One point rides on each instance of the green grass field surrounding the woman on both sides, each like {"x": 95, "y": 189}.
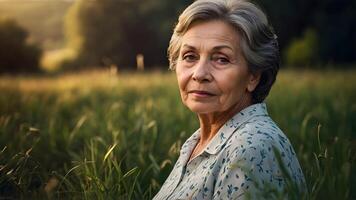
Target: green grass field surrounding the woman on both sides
{"x": 97, "y": 135}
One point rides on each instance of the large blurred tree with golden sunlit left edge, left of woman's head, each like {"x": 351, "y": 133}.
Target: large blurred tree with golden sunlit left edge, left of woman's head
{"x": 114, "y": 31}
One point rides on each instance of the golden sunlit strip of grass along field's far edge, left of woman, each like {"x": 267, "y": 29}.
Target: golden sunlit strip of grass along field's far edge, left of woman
{"x": 89, "y": 80}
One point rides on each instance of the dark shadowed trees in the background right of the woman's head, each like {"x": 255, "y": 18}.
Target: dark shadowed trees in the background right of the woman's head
{"x": 334, "y": 23}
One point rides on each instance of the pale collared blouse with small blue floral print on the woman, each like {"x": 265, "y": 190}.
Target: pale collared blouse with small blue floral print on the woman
{"x": 240, "y": 161}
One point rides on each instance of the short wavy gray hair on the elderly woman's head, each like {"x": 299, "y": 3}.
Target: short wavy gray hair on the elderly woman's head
{"x": 258, "y": 43}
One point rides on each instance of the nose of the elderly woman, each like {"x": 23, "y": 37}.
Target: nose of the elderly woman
{"x": 202, "y": 71}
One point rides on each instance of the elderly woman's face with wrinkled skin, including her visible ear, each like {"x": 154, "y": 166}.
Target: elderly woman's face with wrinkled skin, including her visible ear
{"x": 212, "y": 73}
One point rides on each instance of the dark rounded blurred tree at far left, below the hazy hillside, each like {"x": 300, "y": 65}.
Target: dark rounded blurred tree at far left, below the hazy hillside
{"x": 16, "y": 55}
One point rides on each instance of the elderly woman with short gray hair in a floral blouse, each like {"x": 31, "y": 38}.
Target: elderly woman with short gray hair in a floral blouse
{"x": 226, "y": 59}
